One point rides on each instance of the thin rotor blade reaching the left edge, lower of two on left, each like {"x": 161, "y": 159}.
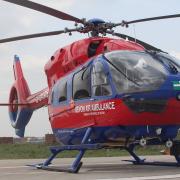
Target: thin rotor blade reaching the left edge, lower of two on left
{"x": 30, "y": 36}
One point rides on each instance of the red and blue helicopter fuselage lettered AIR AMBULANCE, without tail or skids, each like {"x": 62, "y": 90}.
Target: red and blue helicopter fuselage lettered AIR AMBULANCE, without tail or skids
{"x": 113, "y": 115}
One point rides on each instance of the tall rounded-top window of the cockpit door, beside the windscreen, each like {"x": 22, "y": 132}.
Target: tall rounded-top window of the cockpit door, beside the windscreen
{"x": 100, "y": 83}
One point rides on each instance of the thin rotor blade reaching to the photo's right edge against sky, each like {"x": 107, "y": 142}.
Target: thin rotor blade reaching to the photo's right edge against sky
{"x": 149, "y": 19}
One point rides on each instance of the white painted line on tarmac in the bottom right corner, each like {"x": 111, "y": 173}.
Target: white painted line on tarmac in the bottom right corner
{"x": 147, "y": 178}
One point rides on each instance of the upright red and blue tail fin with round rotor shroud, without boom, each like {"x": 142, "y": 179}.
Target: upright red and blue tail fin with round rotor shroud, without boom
{"x": 19, "y": 115}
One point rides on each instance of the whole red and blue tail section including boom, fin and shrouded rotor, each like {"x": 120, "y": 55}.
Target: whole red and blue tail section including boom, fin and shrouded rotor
{"x": 21, "y": 102}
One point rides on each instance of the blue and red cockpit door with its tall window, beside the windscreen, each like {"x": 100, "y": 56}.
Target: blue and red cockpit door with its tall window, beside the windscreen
{"x": 103, "y": 104}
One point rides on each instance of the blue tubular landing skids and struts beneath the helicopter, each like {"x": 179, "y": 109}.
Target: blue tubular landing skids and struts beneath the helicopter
{"x": 83, "y": 147}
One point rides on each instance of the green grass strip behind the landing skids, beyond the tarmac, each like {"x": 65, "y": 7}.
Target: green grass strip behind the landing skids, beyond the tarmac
{"x": 37, "y": 151}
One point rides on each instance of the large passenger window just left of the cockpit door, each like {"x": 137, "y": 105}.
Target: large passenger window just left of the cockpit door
{"x": 81, "y": 84}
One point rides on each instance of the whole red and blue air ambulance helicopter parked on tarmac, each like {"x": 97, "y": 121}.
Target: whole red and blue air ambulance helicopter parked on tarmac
{"x": 101, "y": 90}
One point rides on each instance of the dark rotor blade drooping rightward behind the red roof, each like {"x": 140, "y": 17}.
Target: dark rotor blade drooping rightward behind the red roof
{"x": 145, "y": 45}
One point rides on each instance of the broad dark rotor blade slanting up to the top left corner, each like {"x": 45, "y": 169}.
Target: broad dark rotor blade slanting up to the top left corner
{"x": 45, "y": 9}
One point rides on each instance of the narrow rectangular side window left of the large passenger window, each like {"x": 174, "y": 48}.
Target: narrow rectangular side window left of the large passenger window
{"x": 62, "y": 91}
